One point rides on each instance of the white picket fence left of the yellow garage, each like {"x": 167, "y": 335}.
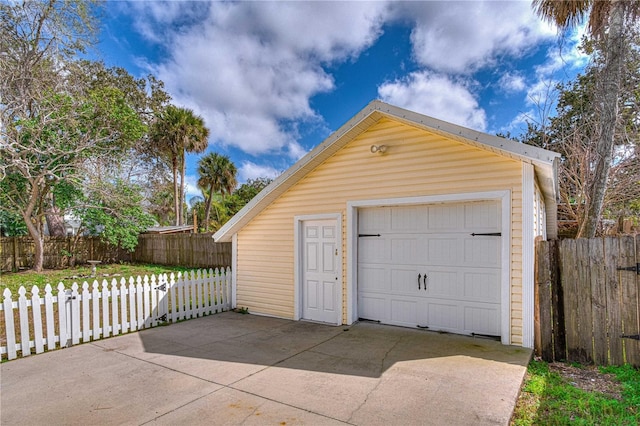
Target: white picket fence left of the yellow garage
{"x": 91, "y": 312}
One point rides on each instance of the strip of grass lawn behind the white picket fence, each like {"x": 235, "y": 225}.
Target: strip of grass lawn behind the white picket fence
{"x": 13, "y": 280}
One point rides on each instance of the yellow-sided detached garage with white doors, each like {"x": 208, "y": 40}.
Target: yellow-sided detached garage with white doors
{"x": 403, "y": 219}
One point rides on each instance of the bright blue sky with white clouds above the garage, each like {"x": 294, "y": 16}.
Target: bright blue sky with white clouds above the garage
{"x": 274, "y": 79}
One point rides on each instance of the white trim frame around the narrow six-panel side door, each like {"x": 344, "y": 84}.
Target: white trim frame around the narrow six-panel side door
{"x": 297, "y": 262}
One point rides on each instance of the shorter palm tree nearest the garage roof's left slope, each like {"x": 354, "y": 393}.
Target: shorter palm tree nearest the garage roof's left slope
{"x": 217, "y": 174}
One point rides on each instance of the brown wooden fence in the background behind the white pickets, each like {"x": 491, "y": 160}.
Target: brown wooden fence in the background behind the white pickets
{"x": 189, "y": 250}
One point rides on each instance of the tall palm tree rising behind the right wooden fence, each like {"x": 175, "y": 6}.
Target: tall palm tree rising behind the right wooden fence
{"x": 607, "y": 25}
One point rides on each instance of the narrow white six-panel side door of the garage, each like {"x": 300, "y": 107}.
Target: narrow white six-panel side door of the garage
{"x": 320, "y": 271}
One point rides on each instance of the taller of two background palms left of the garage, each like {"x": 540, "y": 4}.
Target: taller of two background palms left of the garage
{"x": 176, "y": 132}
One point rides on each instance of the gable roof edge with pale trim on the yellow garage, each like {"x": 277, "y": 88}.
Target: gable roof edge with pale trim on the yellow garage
{"x": 544, "y": 161}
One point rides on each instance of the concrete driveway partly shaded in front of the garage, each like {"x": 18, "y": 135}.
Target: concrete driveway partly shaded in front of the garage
{"x": 245, "y": 369}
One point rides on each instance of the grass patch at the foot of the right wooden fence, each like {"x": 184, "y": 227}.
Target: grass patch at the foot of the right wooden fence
{"x": 561, "y": 394}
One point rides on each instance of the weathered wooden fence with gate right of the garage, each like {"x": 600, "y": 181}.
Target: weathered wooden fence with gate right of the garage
{"x": 588, "y": 300}
